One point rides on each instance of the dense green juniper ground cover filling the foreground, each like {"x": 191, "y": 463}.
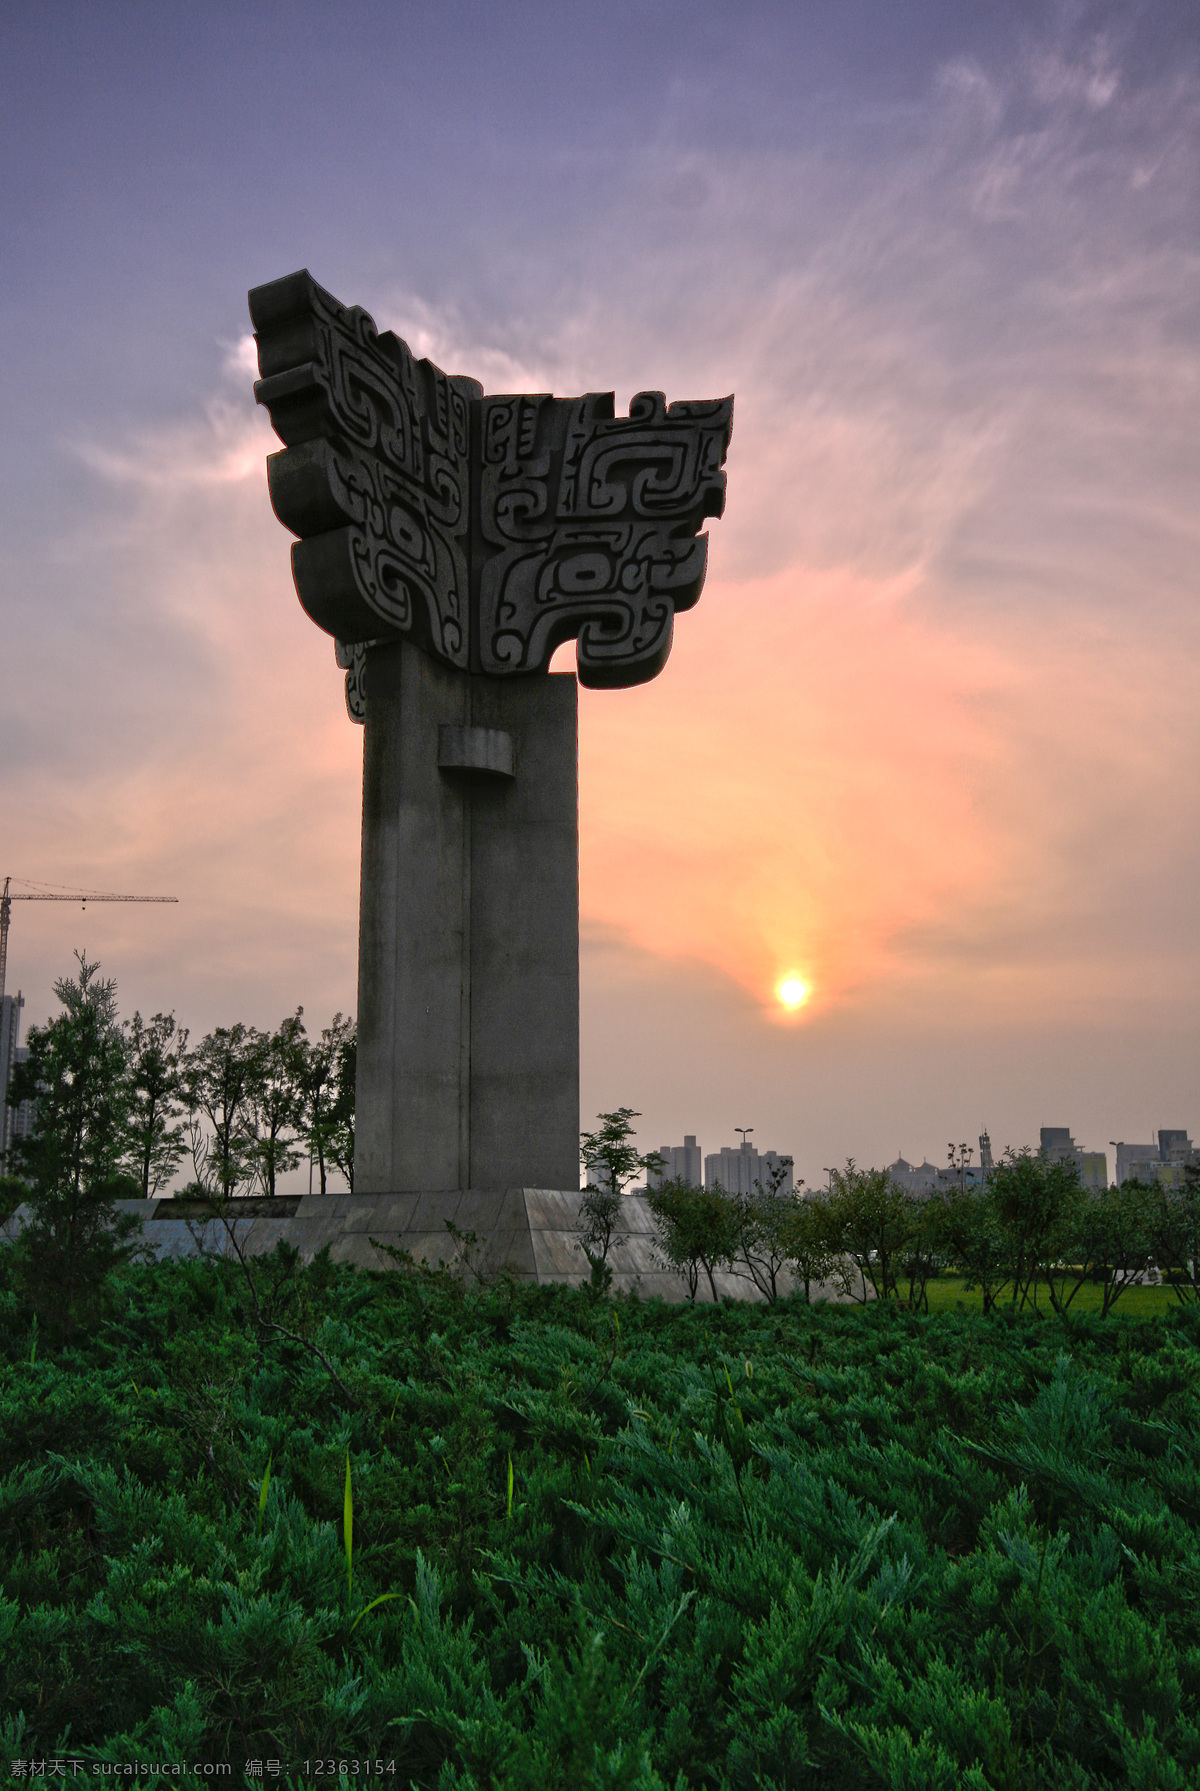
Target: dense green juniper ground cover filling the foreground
{"x": 631, "y": 1547}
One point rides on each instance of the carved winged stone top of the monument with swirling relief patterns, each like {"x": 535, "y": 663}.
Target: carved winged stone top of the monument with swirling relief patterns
{"x": 583, "y": 524}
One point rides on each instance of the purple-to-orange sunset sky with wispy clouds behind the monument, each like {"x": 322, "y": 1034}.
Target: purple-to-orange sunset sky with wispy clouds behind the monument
{"x": 930, "y": 739}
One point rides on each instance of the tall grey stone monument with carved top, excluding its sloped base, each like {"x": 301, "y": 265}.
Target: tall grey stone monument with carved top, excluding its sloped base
{"x": 450, "y": 542}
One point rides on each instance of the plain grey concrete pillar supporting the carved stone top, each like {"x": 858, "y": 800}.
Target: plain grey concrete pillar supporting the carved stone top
{"x": 468, "y": 945}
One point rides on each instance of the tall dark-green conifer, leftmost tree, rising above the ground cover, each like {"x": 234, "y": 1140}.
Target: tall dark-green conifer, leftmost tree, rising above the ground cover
{"x": 73, "y": 1165}
